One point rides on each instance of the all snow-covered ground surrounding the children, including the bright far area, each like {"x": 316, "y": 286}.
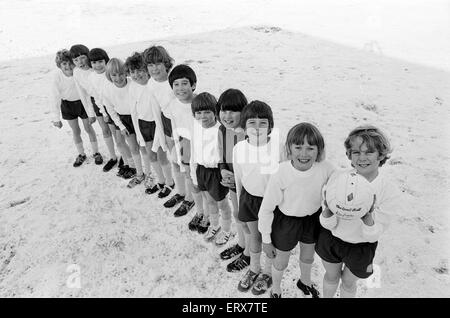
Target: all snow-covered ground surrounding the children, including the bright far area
{"x": 336, "y": 65}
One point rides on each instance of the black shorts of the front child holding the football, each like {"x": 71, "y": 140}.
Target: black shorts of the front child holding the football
{"x": 358, "y": 257}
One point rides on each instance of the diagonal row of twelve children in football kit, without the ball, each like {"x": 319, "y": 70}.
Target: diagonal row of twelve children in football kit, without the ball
{"x": 205, "y": 150}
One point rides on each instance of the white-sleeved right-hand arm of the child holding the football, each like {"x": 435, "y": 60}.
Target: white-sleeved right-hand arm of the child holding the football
{"x": 377, "y": 221}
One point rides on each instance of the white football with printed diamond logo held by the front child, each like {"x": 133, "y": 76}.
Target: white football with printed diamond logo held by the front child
{"x": 349, "y": 195}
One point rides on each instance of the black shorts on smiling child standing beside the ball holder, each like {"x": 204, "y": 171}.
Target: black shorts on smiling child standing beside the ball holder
{"x": 287, "y": 230}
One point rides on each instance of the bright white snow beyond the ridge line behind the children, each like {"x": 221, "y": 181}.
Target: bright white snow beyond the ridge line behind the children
{"x": 414, "y": 30}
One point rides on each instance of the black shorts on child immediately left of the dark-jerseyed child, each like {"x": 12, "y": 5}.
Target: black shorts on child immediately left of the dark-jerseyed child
{"x": 209, "y": 180}
